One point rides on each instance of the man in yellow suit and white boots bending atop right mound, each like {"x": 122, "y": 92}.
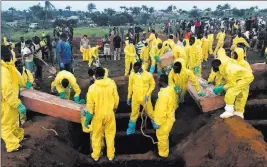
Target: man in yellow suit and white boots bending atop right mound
{"x": 237, "y": 84}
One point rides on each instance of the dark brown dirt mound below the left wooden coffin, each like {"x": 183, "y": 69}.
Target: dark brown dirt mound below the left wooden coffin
{"x": 43, "y": 149}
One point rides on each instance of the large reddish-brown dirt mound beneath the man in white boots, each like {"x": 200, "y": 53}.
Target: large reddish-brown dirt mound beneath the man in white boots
{"x": 229, "y": 142}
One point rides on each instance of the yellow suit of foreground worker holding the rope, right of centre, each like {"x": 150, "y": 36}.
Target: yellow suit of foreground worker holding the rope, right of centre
{"x": 164, "y": 116}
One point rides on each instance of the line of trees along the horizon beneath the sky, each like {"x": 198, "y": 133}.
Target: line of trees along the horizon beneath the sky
{"x": 133, "y": 15}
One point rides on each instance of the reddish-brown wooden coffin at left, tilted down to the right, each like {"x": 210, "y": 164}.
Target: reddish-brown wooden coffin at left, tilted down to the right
{"x": 51, "y": 105}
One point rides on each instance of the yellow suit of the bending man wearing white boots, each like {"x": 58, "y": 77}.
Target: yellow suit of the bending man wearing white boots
{"x": 237, "y": 84}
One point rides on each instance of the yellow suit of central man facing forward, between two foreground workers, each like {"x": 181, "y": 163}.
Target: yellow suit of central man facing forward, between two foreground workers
{"x": 140, "y": 85}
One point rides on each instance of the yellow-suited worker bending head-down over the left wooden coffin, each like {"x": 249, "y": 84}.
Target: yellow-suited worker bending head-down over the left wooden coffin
{"x": 64, "y": 82}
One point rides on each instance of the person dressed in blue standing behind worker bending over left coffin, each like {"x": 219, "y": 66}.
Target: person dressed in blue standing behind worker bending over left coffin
{"x": 64, "y": 54}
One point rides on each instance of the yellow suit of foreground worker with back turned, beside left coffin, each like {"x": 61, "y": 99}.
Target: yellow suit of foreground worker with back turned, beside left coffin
{"x": 102, "y": 99}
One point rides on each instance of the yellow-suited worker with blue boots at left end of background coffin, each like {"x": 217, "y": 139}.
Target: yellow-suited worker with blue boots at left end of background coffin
{"x": 155, "y": 53}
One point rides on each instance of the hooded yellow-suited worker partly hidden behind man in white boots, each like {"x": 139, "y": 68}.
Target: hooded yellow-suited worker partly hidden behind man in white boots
{"x": 239, "y": 56}
